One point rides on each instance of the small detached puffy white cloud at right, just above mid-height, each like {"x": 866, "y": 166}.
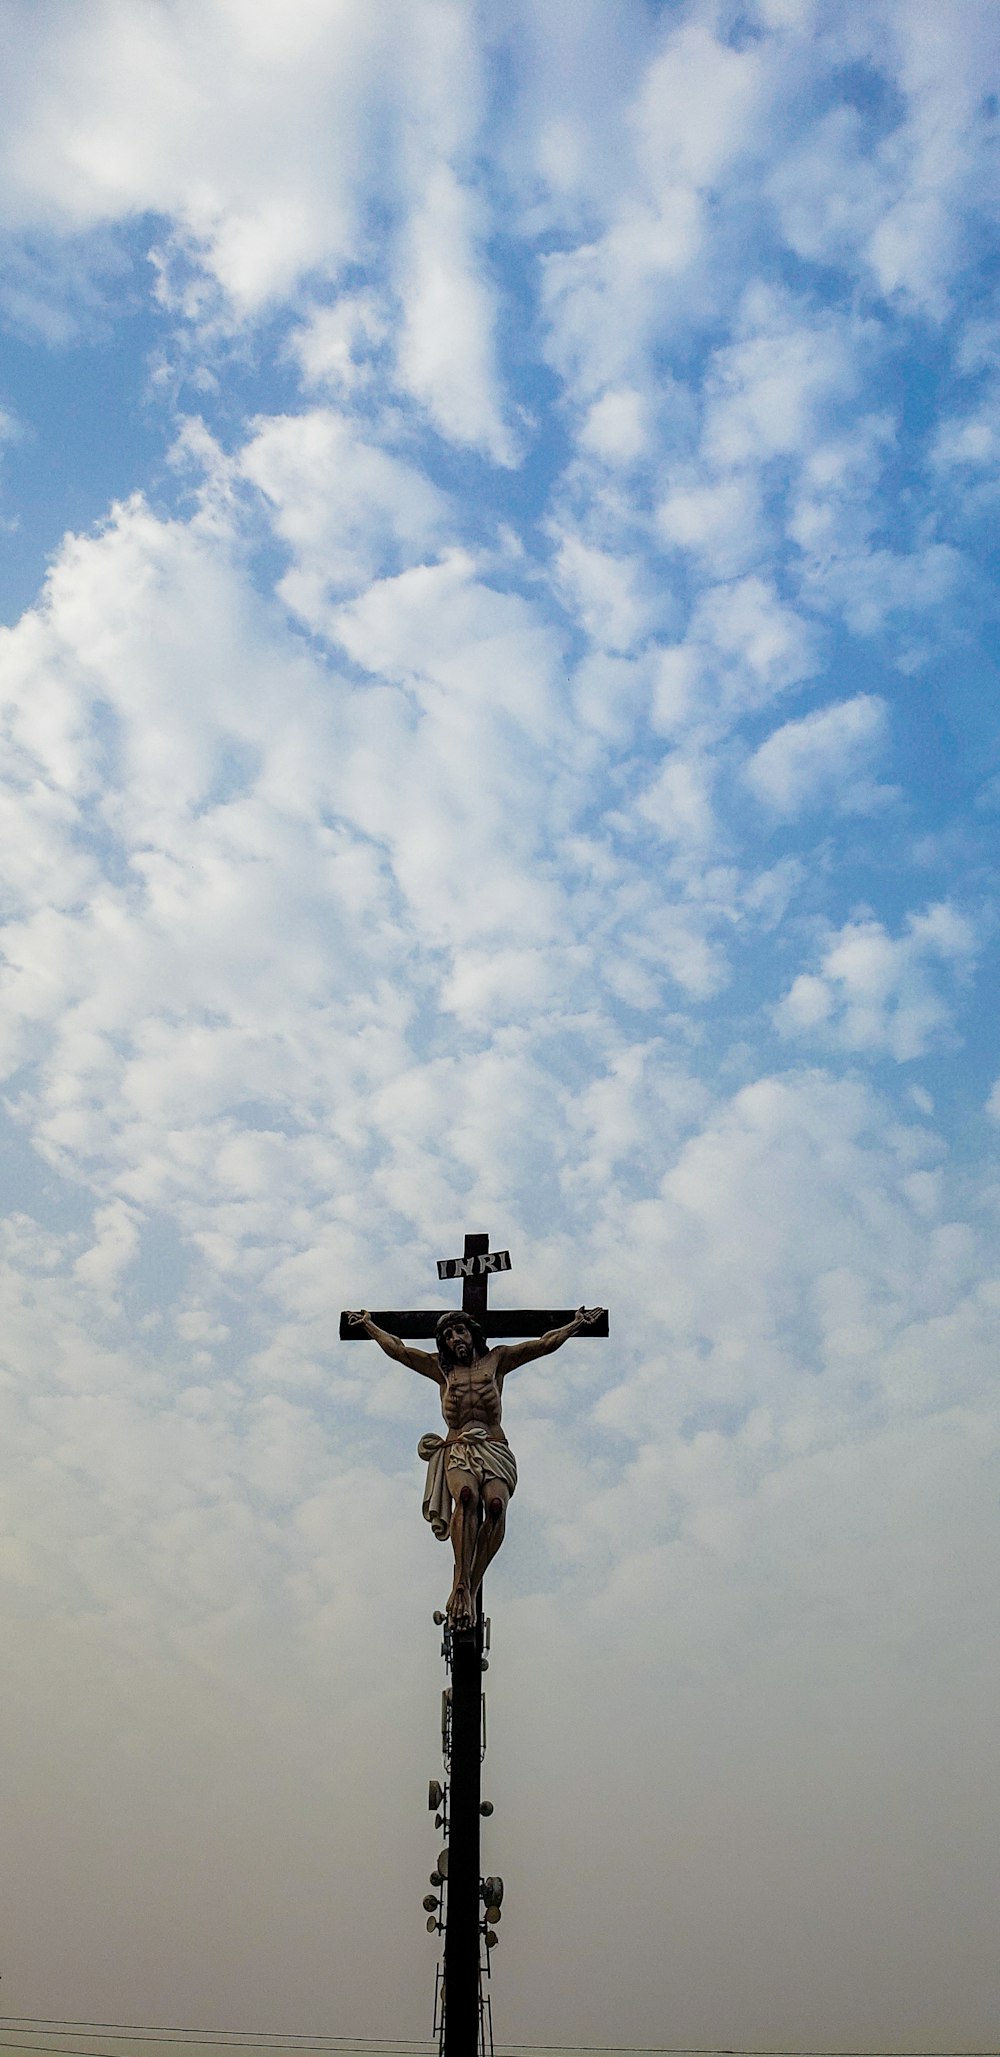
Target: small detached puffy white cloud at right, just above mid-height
{"x": 882, "y": 995}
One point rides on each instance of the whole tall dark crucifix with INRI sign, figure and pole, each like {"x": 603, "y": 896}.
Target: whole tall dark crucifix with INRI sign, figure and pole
{"x": 470, "y": 1480}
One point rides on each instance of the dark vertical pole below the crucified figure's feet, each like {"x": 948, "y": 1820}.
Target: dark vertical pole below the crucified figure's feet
{"x": 462, "y": 1930}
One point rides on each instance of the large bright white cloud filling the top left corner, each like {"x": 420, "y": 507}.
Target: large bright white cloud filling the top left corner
{"x": 122, "y": 116}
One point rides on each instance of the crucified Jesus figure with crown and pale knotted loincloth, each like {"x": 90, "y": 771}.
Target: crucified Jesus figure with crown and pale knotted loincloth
{"x": 472, "y": 1470}
